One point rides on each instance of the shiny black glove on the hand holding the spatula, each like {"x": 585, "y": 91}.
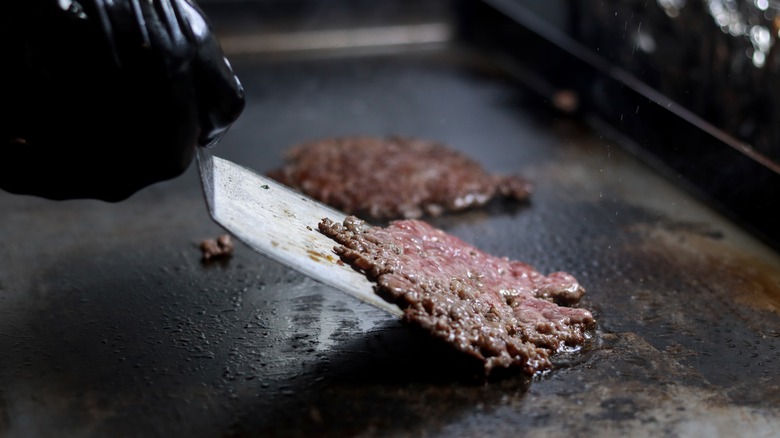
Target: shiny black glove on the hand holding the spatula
{"x": 104, "y": 97}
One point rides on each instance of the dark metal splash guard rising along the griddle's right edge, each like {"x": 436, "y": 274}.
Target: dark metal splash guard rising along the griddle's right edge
{"x": 691, "y": 86}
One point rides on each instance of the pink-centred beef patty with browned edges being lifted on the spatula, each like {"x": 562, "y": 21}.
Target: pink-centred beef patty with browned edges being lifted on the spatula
{"x": 500, "y": 311}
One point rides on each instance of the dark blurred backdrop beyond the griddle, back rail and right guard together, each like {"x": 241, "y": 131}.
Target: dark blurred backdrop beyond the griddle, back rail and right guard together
{"x": 692, "y": 87}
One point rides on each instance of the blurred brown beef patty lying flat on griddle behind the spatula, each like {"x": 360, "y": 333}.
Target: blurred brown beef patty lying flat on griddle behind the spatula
{"x": 393, "y": 178}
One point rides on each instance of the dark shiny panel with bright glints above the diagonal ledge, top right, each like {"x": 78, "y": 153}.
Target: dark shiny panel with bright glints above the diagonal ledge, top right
{"x": 718, "y": 58}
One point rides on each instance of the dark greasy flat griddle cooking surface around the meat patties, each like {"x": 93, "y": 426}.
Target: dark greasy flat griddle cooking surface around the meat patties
{"x": 110, "y": 323}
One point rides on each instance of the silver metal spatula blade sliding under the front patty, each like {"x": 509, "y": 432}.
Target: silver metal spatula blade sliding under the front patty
{"x": 281, "y": 224}
